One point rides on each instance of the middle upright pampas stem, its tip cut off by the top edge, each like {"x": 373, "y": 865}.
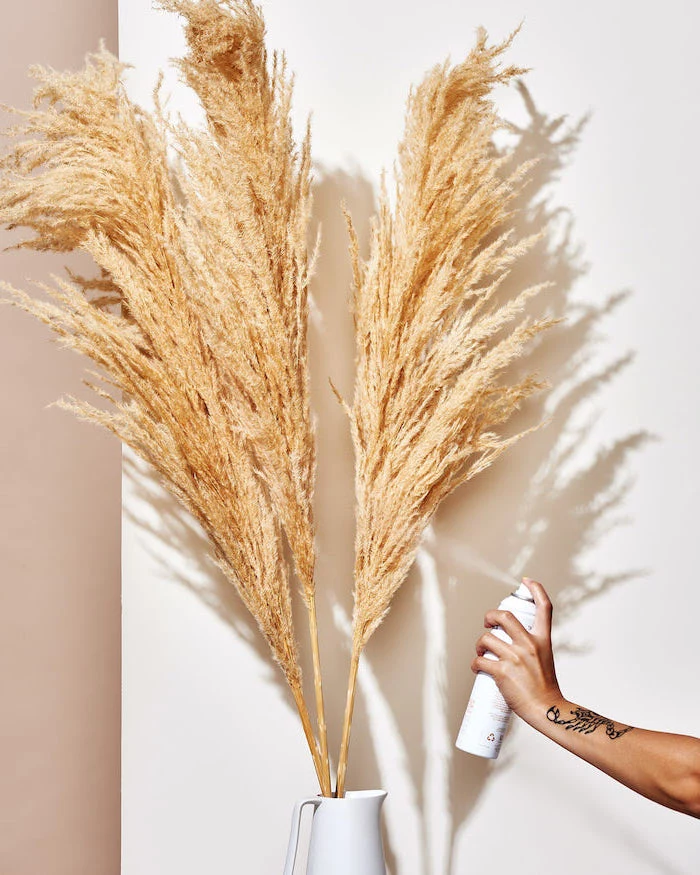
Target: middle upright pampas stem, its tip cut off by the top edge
{"x": 247, "y": 190}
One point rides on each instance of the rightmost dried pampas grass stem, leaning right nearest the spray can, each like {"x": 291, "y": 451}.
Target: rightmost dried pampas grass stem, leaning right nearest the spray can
{"x": 430, "y": 340}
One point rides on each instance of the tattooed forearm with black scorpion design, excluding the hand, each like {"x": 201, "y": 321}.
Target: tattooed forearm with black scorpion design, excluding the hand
{"x": 661, "y": 766}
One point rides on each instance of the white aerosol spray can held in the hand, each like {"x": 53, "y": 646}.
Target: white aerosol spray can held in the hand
{"x": 487, "y": 716}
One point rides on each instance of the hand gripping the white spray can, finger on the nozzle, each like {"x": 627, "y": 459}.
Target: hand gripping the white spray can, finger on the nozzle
{"x": 524, "y": 670}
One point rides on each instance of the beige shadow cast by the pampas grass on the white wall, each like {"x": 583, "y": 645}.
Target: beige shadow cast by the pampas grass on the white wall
{"x": 536, "y": 512}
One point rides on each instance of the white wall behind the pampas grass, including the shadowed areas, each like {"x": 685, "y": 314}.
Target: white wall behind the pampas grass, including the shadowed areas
{"x": 212, "y": 754}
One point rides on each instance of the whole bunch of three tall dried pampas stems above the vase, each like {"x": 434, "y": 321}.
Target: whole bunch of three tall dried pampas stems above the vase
{"x": 197, "y": 322}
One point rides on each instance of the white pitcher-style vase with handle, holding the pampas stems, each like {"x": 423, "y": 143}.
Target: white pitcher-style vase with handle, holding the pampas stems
{"x": 346, "y": 836}
